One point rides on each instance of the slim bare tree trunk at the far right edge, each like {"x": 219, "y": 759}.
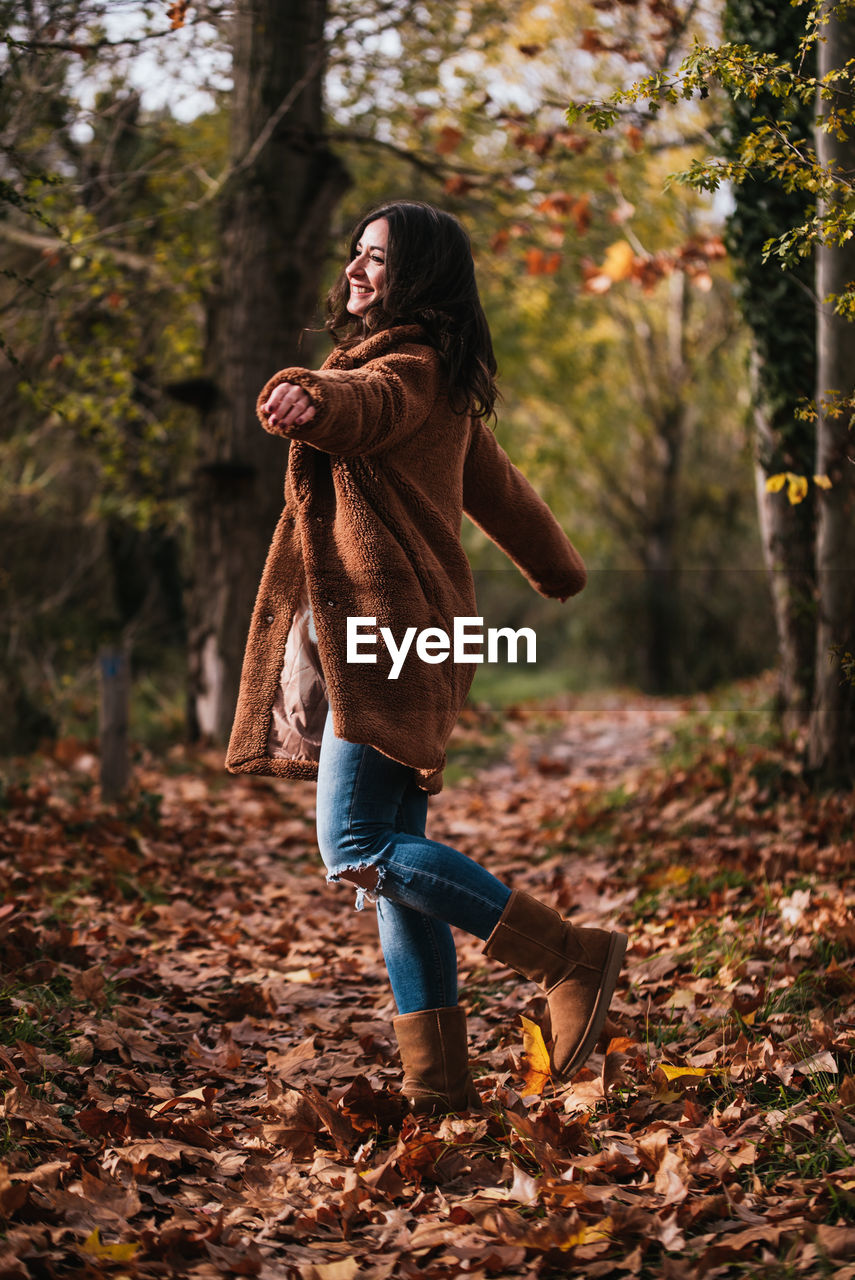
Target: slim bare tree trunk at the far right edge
{"x": 831, "y": 752}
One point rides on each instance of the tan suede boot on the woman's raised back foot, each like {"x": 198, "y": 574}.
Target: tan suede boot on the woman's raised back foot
{"x": 577, "y": 968}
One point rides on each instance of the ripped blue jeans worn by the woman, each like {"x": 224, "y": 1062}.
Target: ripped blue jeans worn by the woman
{"x": 372, "y": 833}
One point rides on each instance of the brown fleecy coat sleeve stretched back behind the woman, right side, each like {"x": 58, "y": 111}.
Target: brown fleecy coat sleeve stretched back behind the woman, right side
{"x": 500, "y": 500}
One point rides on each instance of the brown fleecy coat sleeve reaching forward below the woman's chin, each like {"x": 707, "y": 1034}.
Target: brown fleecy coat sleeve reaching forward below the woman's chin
{"x": 364, "y": 410}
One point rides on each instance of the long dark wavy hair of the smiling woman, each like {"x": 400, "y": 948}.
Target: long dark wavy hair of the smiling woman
{"x": 429, "y": 281}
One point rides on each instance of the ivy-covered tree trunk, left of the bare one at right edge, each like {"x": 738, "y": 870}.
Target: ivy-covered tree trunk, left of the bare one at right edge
{"x": 780, "y": 312}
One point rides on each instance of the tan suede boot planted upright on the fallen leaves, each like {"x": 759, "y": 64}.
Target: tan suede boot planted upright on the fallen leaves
{"x": 435, "y": 1053}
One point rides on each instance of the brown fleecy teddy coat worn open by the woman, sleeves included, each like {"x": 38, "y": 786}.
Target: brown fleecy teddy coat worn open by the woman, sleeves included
{"x": 376, "y": 488}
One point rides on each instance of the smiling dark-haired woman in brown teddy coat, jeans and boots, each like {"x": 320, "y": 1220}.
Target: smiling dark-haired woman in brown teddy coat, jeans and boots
{"x": 388, "y": 449}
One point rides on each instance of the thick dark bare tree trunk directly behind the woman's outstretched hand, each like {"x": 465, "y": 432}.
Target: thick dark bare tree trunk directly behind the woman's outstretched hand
{"x": 275, "y": 239}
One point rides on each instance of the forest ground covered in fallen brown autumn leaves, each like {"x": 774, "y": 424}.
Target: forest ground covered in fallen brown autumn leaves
{"x": 198, "y": 1062}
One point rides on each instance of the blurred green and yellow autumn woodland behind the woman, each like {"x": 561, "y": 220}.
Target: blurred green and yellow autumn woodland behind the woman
{"x": 131, "y": 162}
